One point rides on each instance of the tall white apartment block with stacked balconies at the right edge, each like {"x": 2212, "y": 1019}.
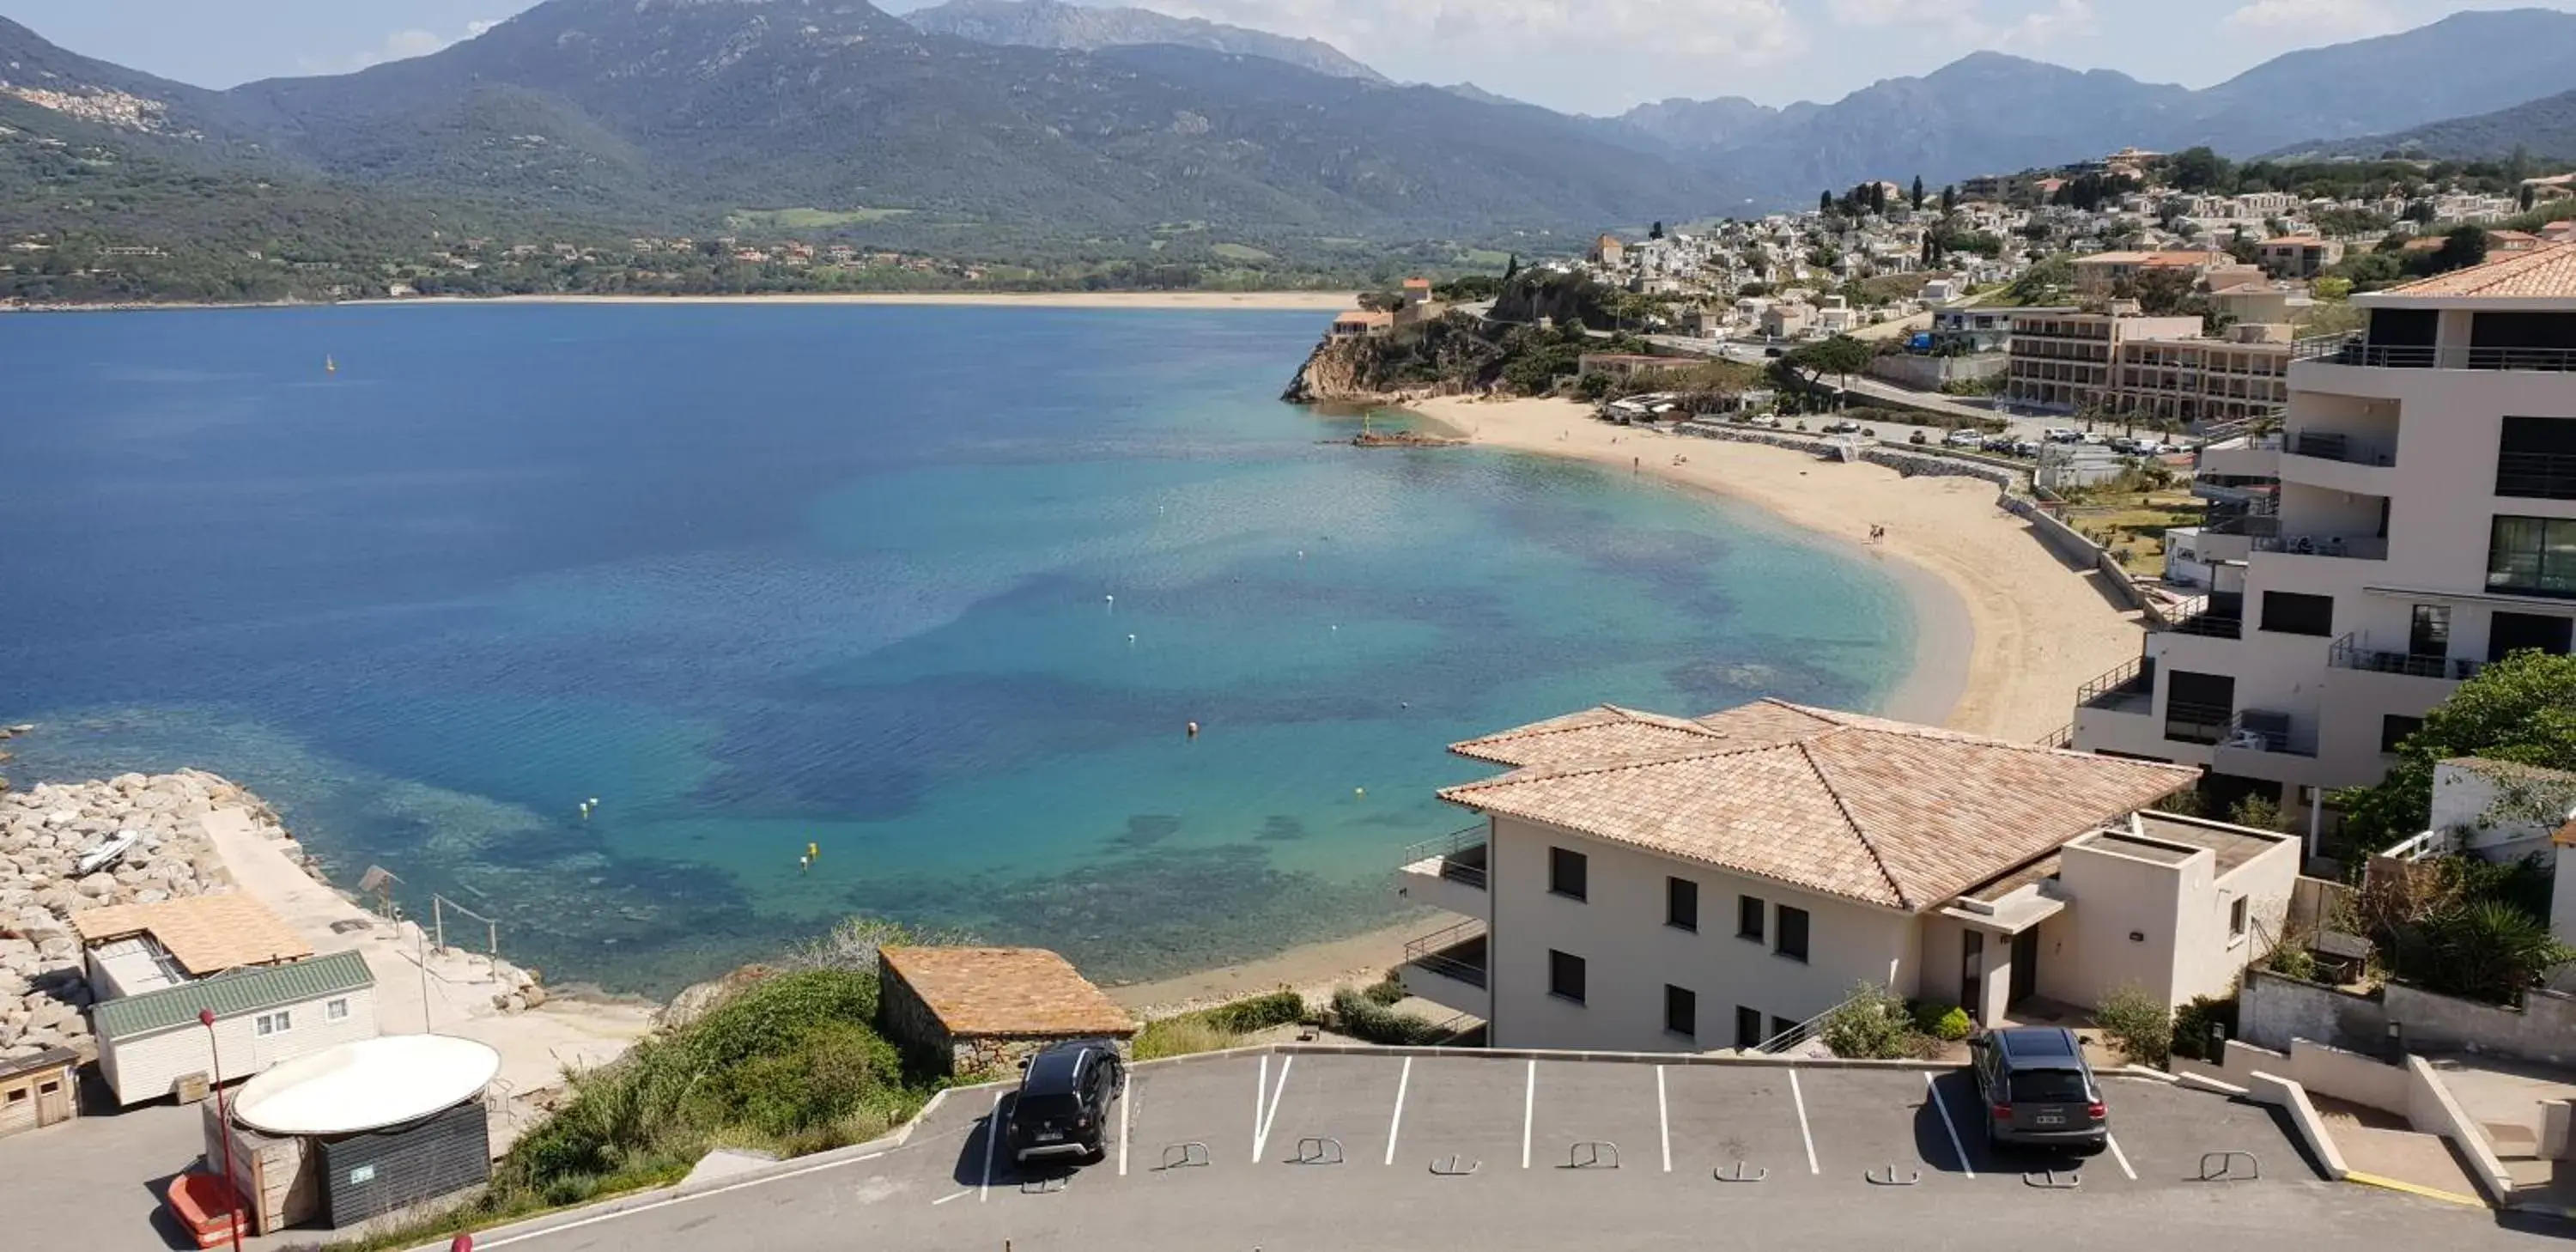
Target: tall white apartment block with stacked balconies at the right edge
{"x": 2423, "y": 527}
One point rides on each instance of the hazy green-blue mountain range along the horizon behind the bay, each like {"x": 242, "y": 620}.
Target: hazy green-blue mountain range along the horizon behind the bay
{"x": 993, "y": 125}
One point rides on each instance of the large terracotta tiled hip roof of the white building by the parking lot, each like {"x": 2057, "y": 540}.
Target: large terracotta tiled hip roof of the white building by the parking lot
{"x": 1846, "y": 805}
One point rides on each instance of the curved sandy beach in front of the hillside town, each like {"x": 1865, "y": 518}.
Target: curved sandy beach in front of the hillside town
{"x": 2034, "y": 627}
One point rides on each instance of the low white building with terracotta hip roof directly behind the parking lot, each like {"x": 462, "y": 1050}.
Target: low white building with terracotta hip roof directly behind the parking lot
{"x": 1647, "y": 882}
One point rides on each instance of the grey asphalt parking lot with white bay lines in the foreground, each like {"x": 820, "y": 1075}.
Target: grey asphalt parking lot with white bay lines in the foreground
{"x": 1374, "y": 1150}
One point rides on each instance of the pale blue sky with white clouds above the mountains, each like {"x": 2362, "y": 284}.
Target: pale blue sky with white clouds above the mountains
{"x": 1578, "y": 55}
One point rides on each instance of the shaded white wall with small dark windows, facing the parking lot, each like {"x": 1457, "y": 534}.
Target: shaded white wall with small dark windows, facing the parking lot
{"x": 1632, "y": 954}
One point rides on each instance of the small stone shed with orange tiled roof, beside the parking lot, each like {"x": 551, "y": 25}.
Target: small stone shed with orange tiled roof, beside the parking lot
{"x": 983, "y": 1011}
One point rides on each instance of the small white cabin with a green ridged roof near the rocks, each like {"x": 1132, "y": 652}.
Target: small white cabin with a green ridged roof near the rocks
{"x": 153, "y": 1045}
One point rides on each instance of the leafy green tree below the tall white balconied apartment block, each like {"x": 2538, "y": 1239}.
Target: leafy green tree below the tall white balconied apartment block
{"x": 2518, "y": 710}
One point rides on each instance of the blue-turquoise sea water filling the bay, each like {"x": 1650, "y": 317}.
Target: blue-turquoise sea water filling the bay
{"x": 929, "y": 589}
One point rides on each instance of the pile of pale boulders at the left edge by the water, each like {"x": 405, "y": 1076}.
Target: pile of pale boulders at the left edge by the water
{"x": 45, "y": 833}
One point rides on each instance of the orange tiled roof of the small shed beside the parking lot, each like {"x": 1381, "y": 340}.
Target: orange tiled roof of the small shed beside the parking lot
{"x": 1006, "y": 993}
